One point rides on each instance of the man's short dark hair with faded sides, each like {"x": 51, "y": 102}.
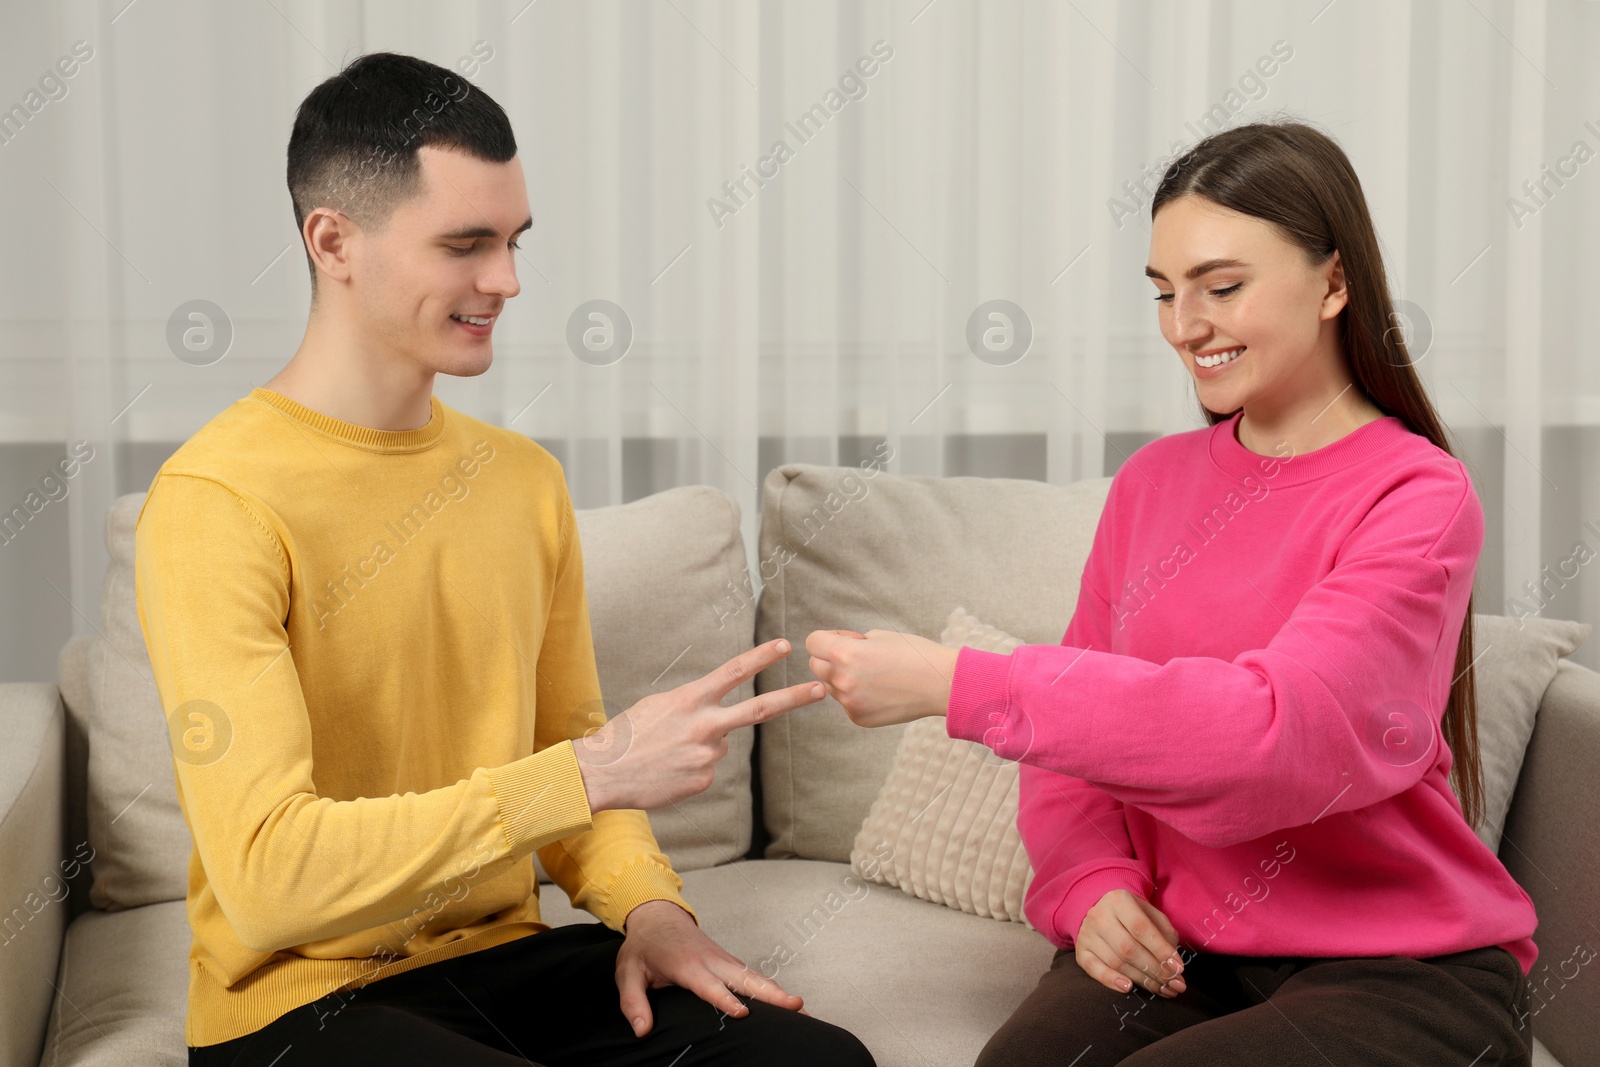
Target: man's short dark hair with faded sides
{"x": 356, "y": 137}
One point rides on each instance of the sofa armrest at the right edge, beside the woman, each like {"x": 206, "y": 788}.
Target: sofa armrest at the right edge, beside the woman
{"x": 1553, "y": 849}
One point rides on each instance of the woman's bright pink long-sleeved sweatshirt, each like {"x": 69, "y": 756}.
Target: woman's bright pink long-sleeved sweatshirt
{"x": 1242, "y": 724}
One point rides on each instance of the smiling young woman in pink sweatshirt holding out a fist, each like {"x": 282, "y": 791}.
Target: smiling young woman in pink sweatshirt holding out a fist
{"x": 1236, "y": 785}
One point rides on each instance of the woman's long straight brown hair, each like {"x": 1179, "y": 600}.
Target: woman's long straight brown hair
{"x": 1300, "y": 180}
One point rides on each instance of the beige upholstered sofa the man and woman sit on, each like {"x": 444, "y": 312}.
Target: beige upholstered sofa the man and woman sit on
{"x": 94, "y": 845}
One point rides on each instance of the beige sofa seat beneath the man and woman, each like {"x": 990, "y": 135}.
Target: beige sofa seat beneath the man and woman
{"x": 921, "y": 985}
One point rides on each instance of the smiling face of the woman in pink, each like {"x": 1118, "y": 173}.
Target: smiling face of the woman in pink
{"x": 1230, "y": 282}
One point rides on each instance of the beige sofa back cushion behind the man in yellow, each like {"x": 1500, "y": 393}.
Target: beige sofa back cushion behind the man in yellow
{"x": 655, "y": 572}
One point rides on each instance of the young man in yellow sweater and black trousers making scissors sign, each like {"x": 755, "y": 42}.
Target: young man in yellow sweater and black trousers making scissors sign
{"x": 367, "y": 623}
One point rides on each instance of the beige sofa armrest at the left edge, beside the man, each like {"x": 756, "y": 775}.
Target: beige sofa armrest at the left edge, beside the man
{"x": 33, "y": 828}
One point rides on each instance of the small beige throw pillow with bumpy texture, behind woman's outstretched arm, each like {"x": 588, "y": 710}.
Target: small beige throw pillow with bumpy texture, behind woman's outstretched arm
{"x": 945, "y": 823}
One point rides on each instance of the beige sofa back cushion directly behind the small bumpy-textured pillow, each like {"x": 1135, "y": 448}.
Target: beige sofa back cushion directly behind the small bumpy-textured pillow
{"x": 863, "y": 549}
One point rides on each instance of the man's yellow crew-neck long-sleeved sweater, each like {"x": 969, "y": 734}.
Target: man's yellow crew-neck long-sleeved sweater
{"x": 374, "y": 652}
